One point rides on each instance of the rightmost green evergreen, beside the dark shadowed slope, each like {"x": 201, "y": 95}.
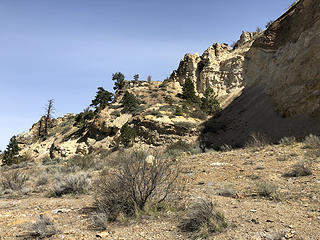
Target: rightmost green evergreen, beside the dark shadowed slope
{"x": 210, "y": 103}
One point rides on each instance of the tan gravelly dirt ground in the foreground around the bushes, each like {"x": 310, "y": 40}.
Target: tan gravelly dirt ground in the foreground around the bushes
{"x": 296, "y": 214}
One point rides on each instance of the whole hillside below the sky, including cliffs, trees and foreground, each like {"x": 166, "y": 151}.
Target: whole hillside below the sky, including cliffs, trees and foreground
{"x": 227, "y": 147}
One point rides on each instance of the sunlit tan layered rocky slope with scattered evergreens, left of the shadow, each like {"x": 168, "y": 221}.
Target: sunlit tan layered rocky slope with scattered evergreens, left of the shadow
{"x": 154, "y": 121}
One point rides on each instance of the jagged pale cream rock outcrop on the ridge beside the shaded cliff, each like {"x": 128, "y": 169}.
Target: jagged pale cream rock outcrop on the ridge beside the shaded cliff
{"x": 218, "y": 67}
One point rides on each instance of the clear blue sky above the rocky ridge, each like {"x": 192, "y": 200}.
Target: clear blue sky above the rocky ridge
{"x": 65, "y": 49}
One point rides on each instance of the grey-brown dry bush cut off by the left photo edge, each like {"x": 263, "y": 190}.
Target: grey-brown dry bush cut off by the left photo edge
{"x": 13, "y": 180}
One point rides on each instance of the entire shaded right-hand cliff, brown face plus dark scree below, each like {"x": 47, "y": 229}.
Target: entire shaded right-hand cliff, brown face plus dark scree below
{"x": 281, "y": 78}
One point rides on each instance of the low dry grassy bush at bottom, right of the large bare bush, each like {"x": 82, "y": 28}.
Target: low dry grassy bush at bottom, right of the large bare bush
{"x": 203, "y": 219}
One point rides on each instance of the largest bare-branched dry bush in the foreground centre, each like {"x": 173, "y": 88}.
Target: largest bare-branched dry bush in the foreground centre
{"x": 140, "y": 178}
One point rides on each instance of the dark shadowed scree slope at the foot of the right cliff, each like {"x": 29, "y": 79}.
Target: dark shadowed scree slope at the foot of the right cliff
{"x": 253, "y": 112}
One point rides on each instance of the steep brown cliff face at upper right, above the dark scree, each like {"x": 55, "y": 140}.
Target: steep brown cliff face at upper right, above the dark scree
{"x": 285, "y": 61}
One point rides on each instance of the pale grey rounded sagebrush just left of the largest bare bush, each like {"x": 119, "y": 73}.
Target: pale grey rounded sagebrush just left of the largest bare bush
{"x": 73, "y": 184}
